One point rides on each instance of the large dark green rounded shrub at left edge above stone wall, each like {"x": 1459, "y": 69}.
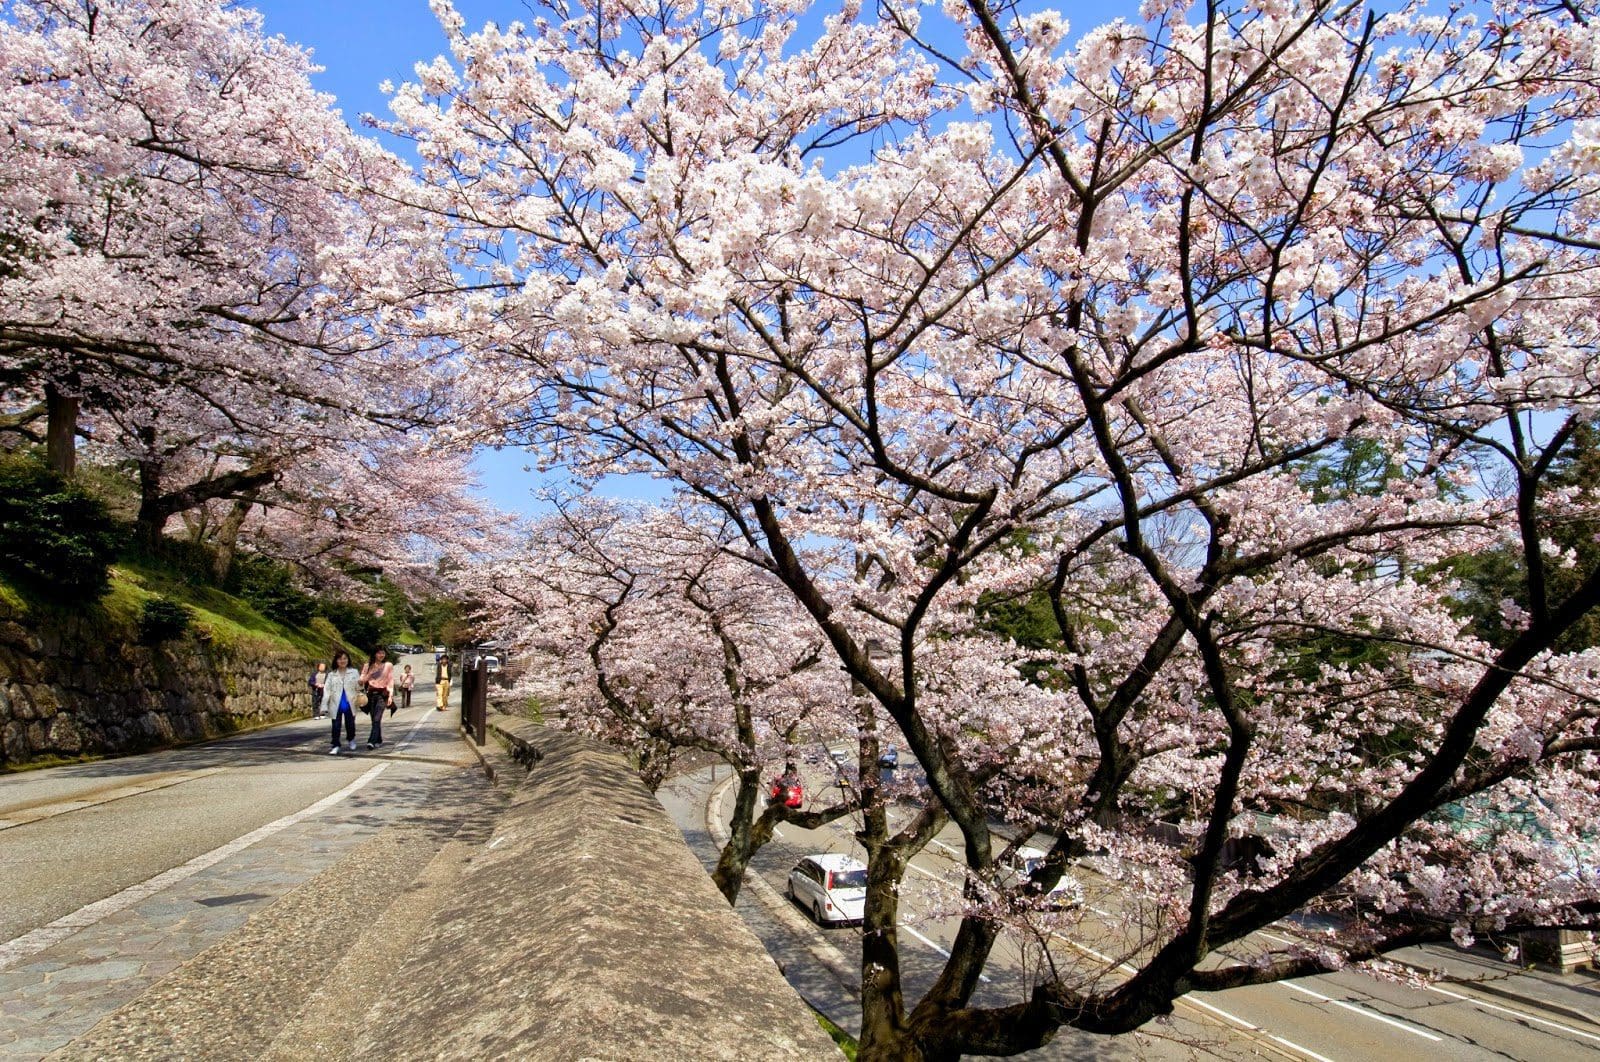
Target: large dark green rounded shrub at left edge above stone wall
{"x": 55, "y": 535}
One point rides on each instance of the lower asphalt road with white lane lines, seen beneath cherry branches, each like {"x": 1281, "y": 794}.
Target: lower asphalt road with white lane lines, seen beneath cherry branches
{"x": 1484, "y": 1012}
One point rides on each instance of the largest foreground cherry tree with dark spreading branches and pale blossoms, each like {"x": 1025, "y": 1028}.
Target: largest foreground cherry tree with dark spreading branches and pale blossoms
{"x": 1110, "y": 348}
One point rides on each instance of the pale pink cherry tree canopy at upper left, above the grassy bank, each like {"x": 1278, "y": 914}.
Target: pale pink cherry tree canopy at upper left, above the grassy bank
{"x": 188, "y": 228}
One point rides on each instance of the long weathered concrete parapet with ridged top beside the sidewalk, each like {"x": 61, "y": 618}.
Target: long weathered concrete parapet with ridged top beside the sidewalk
{"x": 586, "y": 930}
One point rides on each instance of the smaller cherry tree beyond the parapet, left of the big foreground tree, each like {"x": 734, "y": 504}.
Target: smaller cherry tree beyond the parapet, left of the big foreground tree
{"x": 647, "y": 634}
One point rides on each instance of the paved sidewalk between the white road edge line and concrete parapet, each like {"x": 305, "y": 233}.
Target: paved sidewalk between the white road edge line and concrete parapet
{"x": 217, "y": 962}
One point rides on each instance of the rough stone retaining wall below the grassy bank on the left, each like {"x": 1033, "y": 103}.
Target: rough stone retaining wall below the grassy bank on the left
{"x": 70, "y": 689}
